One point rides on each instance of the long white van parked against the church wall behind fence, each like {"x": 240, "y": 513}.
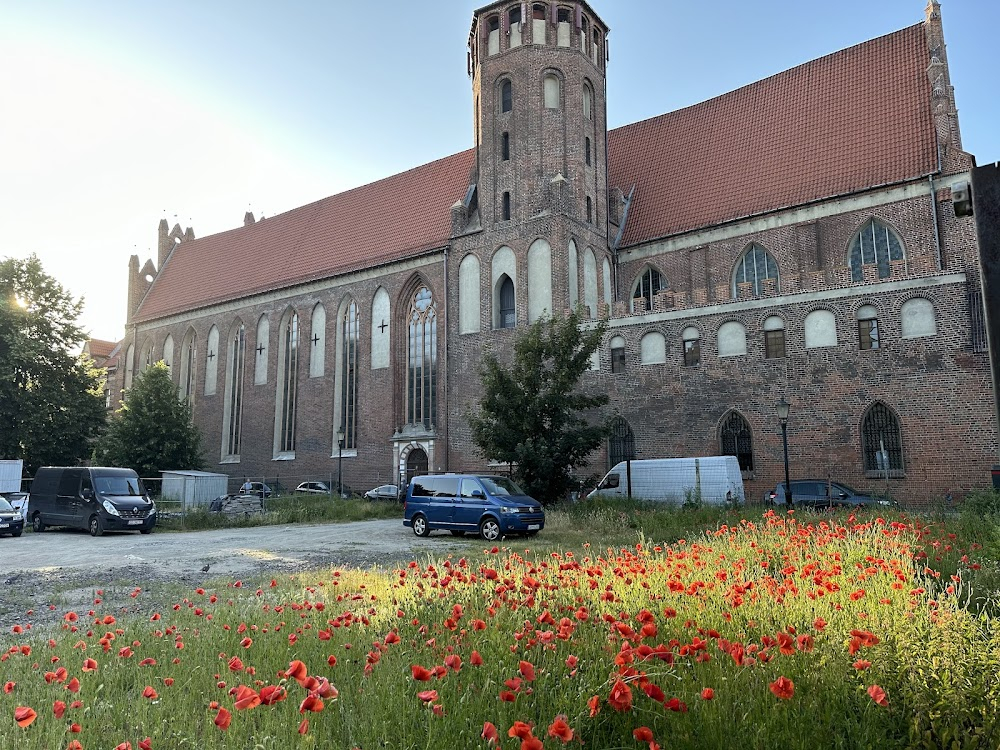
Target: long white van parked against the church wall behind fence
{"x": 713, "y": 480}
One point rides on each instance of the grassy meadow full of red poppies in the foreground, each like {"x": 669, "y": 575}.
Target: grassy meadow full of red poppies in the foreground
{"x": 773, "y": 631}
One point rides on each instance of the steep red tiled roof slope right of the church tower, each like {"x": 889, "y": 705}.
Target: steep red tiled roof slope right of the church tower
{"x": 855, "y": 119}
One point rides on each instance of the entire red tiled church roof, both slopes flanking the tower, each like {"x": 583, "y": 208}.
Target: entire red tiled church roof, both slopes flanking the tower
{"x": 852, "y": 120}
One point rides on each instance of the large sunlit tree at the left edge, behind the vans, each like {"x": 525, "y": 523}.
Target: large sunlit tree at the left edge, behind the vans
{"x": 51, "y": 398}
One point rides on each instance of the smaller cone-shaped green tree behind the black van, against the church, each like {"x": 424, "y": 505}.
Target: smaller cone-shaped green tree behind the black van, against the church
{"x": 152, "y": 430}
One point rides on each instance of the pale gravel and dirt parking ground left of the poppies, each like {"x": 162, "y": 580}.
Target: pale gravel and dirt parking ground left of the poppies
{"x": 64, "y": 568}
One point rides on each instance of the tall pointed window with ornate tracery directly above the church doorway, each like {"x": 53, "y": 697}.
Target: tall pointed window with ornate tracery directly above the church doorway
{"x": 421, "y": 360}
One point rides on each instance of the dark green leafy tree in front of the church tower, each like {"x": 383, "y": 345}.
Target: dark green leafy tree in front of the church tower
{"x": 532, "y": 413}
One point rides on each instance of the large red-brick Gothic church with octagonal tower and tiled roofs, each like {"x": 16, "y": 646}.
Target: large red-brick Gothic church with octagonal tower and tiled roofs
{"x": 801, "y": 238}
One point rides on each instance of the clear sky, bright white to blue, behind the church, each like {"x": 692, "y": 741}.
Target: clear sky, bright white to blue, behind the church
{"x": 119, "y": 113}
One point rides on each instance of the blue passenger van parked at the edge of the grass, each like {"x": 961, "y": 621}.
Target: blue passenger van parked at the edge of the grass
{"x": 490, "y": 506}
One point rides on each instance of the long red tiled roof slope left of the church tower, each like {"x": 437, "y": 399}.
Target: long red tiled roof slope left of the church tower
{"x": 383, "y": 221}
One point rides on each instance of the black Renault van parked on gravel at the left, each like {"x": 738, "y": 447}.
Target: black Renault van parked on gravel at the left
{"x": 96, "y": 498}
